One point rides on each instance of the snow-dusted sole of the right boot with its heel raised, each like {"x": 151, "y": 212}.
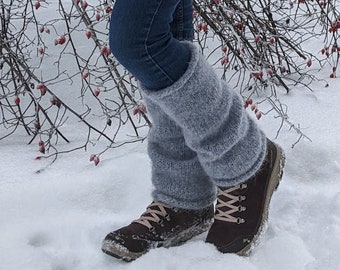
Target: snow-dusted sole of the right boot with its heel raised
{"x": 273, "y": 184}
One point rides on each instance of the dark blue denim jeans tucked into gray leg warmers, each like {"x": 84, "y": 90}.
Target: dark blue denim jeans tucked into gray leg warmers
{"x": 145, "y": 38}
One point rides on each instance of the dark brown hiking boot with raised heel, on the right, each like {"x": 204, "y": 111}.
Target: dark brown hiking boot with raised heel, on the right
{"x": 242, "y": 210}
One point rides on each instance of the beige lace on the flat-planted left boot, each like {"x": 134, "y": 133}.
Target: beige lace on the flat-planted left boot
{"x": 156, "y": 212}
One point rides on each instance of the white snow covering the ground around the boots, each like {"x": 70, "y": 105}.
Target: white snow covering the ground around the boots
{"x": 56, "y": 219}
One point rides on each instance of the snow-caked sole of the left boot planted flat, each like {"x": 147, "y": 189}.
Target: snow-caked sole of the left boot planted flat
{"x": 120, "y": 252}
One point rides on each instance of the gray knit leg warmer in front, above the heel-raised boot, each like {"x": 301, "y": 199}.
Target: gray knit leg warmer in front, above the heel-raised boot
{"x": 228, "y": 143}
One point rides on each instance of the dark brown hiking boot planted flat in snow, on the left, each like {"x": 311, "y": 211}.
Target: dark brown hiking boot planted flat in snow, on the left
{"x": 159, "y": 226}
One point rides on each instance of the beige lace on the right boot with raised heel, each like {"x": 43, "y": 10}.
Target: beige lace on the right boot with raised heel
{"x": 226, "y": 208}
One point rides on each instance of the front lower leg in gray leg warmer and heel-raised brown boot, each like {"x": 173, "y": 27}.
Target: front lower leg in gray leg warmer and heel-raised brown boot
{"x": 231, "y": 148}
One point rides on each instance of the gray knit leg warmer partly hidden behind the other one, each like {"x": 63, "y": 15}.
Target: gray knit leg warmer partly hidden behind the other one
{"x": 177, "y": 175}
